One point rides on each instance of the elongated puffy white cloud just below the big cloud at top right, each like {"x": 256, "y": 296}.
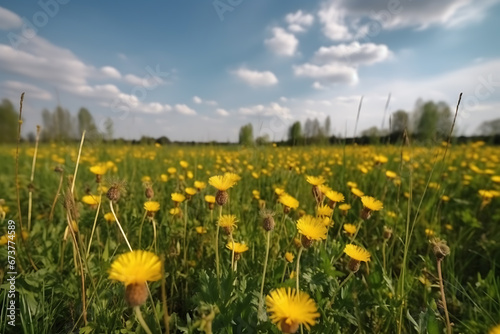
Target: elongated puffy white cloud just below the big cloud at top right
{"x": 353, "y": 54}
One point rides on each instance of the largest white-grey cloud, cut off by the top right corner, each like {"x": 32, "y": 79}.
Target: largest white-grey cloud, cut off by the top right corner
{"x": 341, "y": 19}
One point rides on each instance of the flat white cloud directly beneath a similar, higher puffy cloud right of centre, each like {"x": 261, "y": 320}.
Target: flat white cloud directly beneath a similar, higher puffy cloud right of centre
{"x": 330, "y": 73}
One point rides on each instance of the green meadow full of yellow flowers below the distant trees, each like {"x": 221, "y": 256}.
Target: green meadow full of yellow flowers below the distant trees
{"x": 378, "y": 239}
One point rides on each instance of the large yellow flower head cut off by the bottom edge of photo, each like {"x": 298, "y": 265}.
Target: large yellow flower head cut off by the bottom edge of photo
{"x": 289, "y": 309}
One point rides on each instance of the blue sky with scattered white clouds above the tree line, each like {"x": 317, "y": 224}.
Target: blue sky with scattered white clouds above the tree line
{"x": 199, "y": 70}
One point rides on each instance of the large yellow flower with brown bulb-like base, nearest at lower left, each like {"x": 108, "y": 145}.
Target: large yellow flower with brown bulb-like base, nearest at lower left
{"x": 134, "y": 269}
